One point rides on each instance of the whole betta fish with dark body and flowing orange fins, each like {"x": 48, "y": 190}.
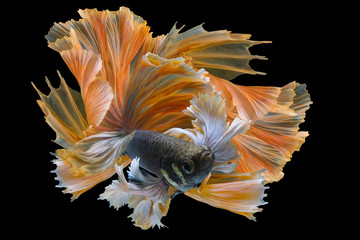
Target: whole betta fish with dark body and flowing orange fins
{"x": 162, "y": 114}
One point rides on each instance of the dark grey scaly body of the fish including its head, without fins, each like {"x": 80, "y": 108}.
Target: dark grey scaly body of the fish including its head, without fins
{"x": 183, "y": 164}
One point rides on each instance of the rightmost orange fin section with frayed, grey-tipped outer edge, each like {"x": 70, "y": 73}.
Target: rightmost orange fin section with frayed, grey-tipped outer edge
{"x": 272, "y": 139}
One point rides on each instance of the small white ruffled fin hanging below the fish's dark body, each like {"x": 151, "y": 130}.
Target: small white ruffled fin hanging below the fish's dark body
{"x": 146, "y": 194}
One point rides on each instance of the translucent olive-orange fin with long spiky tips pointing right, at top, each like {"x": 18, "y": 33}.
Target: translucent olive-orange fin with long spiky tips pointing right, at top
{"x": 221, "y": 53}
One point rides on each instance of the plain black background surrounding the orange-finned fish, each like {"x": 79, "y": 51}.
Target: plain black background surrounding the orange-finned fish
{"x": 297, "y": 205}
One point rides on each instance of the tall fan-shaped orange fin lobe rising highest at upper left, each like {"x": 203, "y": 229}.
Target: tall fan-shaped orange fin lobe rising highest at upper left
{"x": 108, "y": 38}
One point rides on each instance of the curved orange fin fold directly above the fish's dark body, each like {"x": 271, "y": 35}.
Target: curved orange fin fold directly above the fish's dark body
{"x": 157, "y": 94}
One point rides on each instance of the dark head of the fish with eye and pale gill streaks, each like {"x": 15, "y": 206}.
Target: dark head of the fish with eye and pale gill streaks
{"x": 188, "y": 170}
